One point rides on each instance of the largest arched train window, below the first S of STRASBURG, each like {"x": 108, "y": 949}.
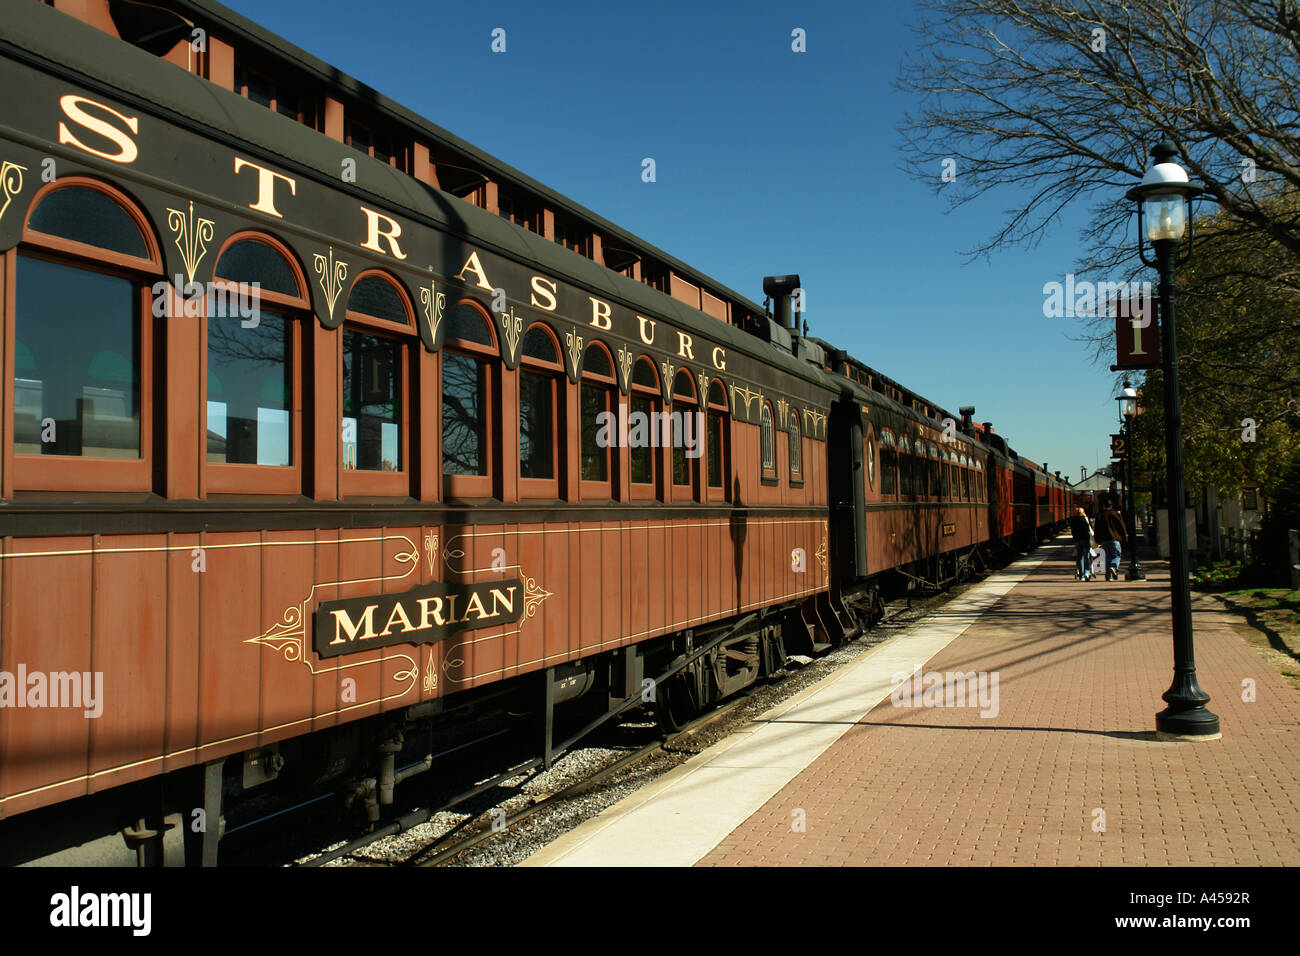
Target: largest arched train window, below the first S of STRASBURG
{"x": 85, "y": 282}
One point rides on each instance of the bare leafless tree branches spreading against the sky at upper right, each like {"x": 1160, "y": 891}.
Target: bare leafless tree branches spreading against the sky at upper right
{"x": 1068, "y": 97}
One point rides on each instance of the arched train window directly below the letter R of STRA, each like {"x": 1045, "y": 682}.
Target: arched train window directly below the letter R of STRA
{"x": 378, "y": 338}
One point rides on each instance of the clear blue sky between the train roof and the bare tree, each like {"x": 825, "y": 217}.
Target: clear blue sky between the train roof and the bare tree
{"x": 768, "y": 162}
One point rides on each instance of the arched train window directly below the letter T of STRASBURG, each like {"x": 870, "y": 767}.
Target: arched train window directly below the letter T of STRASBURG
{"x": 254, "y": 369}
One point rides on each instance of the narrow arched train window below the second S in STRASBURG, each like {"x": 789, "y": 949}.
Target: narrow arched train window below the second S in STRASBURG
{"x": 540, "y": 434}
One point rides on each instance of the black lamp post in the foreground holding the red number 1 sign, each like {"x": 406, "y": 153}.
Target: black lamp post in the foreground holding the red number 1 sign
{"x": 1164, "y": 214}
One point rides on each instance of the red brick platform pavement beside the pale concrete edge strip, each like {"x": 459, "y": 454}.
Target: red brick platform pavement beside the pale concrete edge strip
{"x": 1081, "y": 671}
